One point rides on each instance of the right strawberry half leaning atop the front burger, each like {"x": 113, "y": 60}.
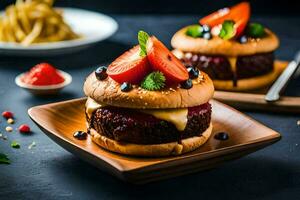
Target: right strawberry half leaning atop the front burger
{"x": 163, "y": 60}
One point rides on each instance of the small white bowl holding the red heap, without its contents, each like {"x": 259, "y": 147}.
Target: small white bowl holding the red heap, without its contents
{"x": 44, "y": 90}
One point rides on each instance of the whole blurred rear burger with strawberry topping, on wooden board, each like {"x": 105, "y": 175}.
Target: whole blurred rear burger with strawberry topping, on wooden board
{"x": 236, "y": 54}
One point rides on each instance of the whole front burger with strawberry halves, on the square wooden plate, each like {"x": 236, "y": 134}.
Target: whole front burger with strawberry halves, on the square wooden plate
{"x": 146, "y": 103}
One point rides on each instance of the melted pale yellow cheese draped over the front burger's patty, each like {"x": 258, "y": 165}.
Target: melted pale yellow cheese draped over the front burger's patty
{"x": 178, "y": 117}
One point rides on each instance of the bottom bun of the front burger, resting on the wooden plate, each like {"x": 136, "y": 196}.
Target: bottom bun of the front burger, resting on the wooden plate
{"x": 151, "y": 150}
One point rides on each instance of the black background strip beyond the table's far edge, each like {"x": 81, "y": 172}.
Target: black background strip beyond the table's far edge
{"x": 200, "y": 7}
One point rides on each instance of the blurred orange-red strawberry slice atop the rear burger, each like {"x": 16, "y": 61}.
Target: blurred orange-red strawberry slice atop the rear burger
{"x": 239, "y": 13}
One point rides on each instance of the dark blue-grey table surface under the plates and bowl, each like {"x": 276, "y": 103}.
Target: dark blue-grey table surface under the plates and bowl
{"x": 50, "y": 172}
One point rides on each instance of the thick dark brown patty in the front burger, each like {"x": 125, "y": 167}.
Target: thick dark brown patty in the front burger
{"x": 129, "y": 125}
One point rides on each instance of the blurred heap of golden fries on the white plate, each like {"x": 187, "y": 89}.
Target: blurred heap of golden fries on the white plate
{"x": 34, "y": 21}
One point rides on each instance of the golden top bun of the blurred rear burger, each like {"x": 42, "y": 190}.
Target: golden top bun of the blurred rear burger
{"x": 218, "y": 46}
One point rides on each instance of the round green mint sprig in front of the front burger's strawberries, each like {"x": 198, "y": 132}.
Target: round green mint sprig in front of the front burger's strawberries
{"x": 154, "y": 81}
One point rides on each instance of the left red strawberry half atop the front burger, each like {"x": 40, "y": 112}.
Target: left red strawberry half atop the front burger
{"x": 129, "y": 67}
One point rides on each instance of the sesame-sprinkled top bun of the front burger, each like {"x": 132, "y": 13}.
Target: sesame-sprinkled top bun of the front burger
{"x": 108, "y": 92}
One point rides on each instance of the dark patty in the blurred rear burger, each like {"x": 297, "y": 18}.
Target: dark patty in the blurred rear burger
{"x": 218, "y": 67}
